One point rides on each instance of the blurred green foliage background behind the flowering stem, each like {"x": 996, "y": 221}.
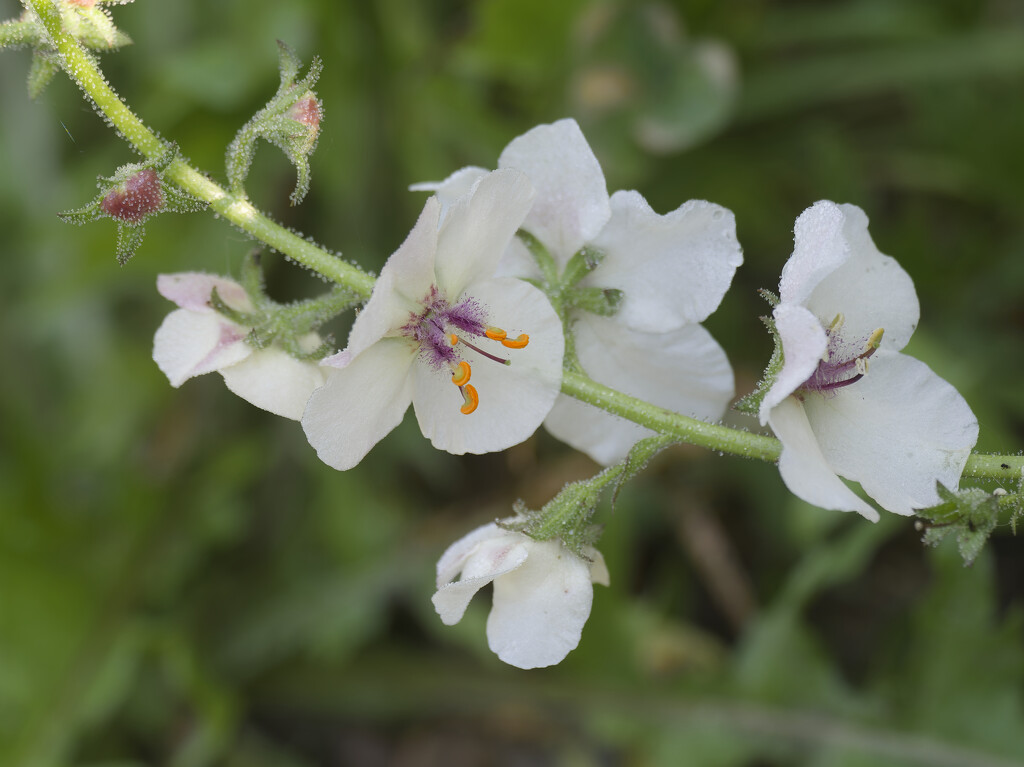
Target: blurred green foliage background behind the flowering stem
{"x": 183, "y": 583}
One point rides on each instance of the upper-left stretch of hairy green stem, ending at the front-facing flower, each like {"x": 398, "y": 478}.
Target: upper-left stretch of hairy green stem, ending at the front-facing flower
{"x": 82, "y": 69}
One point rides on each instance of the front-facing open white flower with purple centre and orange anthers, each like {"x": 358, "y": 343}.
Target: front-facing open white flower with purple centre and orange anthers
{"x": 433, "y": 324}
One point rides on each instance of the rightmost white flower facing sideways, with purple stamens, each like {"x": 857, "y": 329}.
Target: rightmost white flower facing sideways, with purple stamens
{"x": 846, "y": 403}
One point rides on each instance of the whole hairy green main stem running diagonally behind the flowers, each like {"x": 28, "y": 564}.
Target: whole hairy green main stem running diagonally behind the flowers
{"x": 82, "y": 69}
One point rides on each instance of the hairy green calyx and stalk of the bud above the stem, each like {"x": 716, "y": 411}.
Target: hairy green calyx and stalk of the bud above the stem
{"x": 290, "y": 121}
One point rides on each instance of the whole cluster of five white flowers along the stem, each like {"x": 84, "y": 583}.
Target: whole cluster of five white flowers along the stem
{"x": 509, "y": 275}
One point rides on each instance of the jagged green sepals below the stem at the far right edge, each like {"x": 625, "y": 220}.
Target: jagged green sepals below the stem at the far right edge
{"x": 969, "y": 515}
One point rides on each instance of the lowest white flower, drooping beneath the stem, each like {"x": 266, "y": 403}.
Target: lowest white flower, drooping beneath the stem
{"x": 543, "y": 592}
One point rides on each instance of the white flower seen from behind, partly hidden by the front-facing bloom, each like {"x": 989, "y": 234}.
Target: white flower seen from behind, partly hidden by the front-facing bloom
{"x": 673, "y": 271}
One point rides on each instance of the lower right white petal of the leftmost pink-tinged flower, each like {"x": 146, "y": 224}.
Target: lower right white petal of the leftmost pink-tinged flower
{"x": 276, "y": 381}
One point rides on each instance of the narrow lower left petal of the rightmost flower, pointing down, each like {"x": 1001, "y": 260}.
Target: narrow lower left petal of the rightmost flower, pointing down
{"x": 804, "y": 468}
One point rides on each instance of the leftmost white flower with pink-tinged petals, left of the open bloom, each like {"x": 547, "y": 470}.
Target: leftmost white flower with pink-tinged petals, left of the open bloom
{"x": 195, "y": 339}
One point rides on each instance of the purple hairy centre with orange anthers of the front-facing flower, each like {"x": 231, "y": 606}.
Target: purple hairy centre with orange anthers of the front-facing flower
{"x": 444, "y": 333}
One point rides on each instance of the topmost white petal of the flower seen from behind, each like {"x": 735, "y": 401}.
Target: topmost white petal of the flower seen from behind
{"x": 572, "y": 205}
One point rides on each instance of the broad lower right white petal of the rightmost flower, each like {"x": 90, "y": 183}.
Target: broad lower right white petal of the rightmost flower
{"x": 897, "y": 432}
